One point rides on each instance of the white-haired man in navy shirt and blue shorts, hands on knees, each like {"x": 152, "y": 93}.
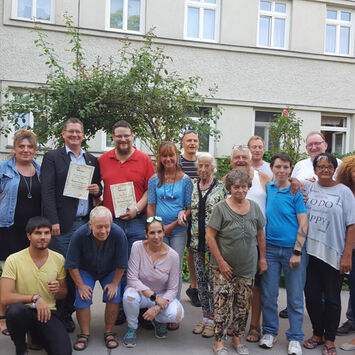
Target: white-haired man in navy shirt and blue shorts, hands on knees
{"x": 97, "y": 251}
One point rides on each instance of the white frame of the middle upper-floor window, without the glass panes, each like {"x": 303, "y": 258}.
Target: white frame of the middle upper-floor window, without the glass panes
{"x": 203, "y": 6}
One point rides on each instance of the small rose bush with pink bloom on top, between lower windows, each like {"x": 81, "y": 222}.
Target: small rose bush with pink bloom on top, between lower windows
{"x": 285, "y": 134}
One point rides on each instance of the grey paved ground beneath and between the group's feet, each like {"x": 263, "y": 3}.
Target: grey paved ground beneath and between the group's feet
{"x": 182, "y": 341}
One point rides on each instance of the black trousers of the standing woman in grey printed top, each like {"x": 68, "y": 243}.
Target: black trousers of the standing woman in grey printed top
{"x": 323, "y": 281}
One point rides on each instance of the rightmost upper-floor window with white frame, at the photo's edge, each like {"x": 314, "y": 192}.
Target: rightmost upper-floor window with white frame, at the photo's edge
{"x": 338, "y": 32}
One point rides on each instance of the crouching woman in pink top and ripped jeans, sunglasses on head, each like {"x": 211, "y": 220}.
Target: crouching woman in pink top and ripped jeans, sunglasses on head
{"x": 152, "y": 282}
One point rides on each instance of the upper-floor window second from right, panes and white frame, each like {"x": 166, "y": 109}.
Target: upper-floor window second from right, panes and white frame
{"x": 273, "y": 24}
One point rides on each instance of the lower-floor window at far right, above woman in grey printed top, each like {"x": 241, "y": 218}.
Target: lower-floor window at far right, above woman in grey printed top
{"x": 336, "y": 133}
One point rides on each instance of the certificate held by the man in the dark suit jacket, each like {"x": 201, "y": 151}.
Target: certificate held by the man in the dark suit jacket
{"x": 78, "y": 179}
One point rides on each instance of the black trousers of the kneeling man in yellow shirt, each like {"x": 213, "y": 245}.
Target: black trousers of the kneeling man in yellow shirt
{"x": 52, "y": 335}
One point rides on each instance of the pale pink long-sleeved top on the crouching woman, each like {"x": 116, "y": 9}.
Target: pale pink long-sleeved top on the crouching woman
{"x": 162, "y": 277}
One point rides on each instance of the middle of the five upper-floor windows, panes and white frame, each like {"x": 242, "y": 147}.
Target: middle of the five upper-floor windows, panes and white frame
{"x": 202, "y": 20}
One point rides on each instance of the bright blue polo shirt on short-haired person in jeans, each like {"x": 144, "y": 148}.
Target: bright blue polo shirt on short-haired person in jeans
{"x": 282, "y": 209}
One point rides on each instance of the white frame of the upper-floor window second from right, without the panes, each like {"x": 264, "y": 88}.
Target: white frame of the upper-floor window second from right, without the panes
{"x": 274, "y": 15}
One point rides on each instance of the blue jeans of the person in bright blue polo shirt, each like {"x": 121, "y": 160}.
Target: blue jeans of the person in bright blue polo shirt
{"x": 295, "y": 279}
